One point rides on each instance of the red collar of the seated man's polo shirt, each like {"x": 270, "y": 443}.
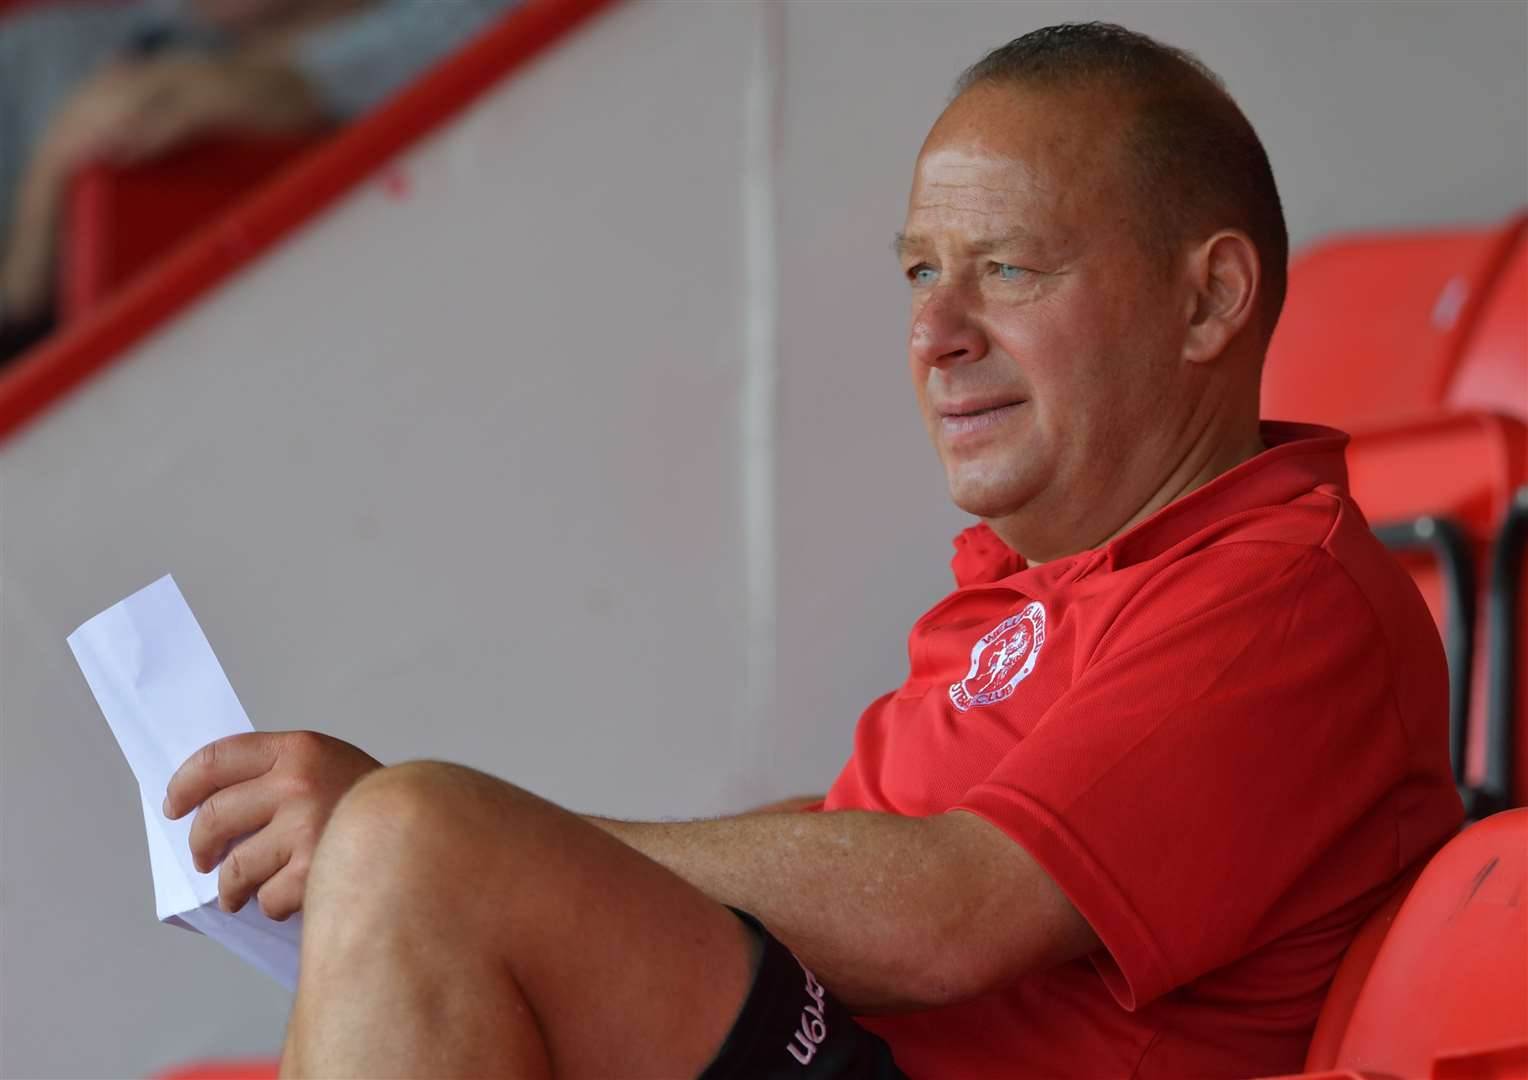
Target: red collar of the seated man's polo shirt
{"x": 1298, "y": 458}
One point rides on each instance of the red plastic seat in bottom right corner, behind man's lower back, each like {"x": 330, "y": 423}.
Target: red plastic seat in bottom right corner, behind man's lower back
{"x": 1437, "y": 985}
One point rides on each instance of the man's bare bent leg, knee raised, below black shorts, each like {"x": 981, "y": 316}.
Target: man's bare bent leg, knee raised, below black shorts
{"x": 459, "y": 926}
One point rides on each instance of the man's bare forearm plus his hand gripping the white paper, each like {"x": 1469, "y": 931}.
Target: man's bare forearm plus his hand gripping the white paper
{"x": 890, "y": 913}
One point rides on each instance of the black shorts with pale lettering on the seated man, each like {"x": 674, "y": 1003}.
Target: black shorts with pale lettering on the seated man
{"x": 791, "y": 1027}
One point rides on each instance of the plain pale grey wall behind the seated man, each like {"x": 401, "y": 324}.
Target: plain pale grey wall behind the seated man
{"x": 591, "y": 461}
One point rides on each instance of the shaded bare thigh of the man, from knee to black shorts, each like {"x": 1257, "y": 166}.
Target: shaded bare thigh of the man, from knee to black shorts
{"x": 629, "y": 969}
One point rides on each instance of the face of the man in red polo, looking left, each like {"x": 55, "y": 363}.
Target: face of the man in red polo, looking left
{"x": 1044, "y": 343}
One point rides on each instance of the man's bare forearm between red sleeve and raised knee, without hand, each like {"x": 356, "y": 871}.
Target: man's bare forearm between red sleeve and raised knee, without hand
{"x": 892, "y": 913}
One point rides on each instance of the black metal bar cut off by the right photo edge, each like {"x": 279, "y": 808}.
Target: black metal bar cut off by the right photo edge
{"x": 1504, "y": 618}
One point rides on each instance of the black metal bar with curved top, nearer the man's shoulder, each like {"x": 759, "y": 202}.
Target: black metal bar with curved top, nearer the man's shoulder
{"x": 1451, "y": 546}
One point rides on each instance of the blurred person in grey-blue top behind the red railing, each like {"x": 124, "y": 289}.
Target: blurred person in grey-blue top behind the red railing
{"x": 131, "y": 80}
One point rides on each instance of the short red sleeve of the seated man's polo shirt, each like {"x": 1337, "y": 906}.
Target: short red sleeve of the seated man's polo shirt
{"x": 1222, "y": 771}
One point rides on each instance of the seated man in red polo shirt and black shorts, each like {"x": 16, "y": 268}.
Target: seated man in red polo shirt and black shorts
{"x": 1177, "y": 732}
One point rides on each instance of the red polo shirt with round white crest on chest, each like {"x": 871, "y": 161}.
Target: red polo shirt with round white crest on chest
{"x": 1223, "y": 734}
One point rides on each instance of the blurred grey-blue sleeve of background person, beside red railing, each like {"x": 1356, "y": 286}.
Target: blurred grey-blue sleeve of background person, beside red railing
{"x": 358, "y": 62}
